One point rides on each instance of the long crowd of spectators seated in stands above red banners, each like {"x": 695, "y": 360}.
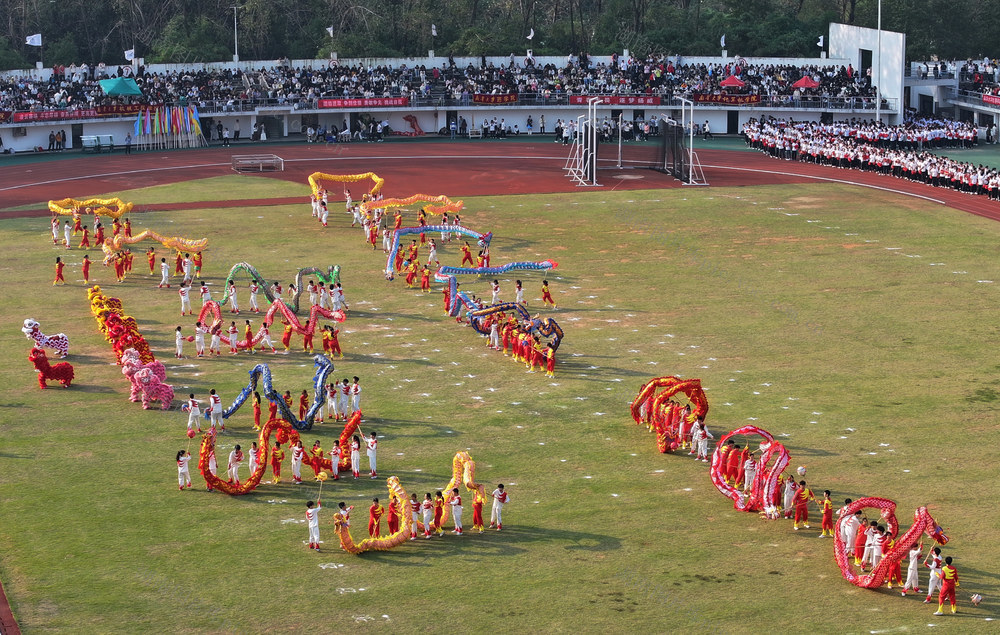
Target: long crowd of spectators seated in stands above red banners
{"x": 76, "y": 87}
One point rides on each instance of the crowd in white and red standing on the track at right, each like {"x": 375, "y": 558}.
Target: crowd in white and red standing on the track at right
{"x": 904, "y": 151}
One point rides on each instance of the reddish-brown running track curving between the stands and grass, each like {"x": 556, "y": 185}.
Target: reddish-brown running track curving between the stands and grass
{"x": 457, "y": 169}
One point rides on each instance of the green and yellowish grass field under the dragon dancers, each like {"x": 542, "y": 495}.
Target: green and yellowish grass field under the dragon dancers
{"x": 854, "y": 325}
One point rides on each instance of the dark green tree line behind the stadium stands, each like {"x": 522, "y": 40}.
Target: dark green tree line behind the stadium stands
{"x": 188, "y": 31}
